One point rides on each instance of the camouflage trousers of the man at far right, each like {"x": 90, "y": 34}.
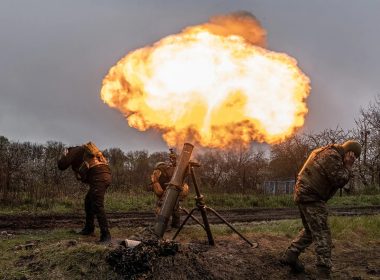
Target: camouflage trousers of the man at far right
{"x": 316, "y": 229}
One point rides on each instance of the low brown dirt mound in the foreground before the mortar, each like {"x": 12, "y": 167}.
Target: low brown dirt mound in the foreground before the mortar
{"x": 170, "y": 260}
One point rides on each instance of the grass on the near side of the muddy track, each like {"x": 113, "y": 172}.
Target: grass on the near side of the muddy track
{"x": 61, "y": 254}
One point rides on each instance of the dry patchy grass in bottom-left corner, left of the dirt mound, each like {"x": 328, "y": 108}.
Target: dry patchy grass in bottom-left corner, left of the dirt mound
{"x": 55, "y": 254}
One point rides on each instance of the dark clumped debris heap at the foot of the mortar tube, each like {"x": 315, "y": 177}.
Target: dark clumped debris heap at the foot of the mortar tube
{"x": 130, "y": 263}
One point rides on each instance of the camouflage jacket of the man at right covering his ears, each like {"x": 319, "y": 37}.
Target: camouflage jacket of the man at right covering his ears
{"x": 322, "y": 175}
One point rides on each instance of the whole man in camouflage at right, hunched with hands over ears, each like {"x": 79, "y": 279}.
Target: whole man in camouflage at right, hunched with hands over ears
{"x": 325, "y": 171}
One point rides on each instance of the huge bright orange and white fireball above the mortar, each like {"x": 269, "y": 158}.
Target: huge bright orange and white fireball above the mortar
{"x": 211, "y": 89}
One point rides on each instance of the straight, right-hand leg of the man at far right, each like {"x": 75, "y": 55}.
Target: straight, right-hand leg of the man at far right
{"x": 316, "y": 215}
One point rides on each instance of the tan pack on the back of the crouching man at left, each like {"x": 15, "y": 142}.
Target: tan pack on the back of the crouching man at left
{"x": 92, "y": 157}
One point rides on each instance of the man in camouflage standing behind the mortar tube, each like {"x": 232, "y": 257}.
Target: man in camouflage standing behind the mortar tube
{"x": 161, "y": 176}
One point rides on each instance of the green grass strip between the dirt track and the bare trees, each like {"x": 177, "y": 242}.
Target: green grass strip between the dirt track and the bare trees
{"x": 117, "y": 201}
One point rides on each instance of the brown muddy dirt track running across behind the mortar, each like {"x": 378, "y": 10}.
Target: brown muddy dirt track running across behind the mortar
{"x": 133, "y": 219}
